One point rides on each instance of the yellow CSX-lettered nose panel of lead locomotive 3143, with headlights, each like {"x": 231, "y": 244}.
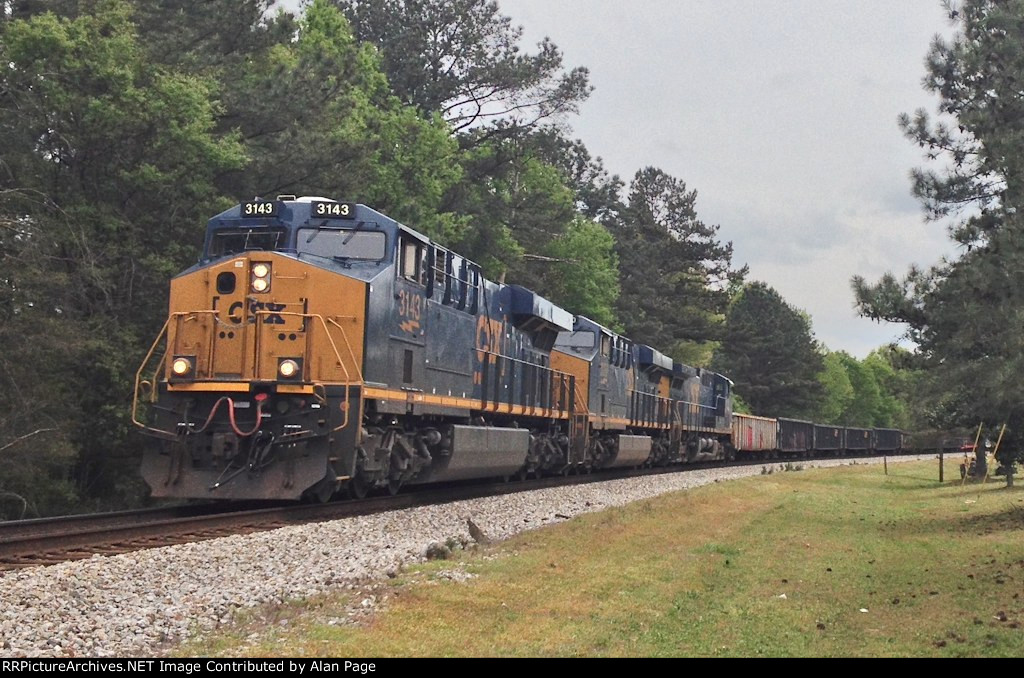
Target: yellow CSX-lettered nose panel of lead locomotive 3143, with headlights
{"x": 258, "y": 318}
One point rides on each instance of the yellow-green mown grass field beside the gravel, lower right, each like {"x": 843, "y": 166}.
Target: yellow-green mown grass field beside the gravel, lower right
{"x": 843, "y": 562}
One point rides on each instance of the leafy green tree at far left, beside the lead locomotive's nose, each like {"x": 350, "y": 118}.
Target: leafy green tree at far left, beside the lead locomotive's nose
{"x": 108, "y": 171}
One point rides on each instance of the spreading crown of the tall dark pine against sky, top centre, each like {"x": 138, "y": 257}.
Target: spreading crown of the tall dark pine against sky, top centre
{"x": 461, "y": 59}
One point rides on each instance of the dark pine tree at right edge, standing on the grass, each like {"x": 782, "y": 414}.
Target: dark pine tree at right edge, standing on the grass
{"x": 965, "y": 314}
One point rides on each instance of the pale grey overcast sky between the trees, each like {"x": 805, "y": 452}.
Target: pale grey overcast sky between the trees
{"x": 783, "y": 116}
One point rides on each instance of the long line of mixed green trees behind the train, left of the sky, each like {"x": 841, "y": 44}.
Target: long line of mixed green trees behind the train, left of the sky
{"x": 127, "y": 123}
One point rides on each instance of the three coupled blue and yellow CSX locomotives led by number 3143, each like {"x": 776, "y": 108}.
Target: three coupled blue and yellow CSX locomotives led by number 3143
{"x": 321, "y": 347}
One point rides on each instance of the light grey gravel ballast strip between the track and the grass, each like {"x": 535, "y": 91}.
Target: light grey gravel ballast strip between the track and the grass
{"x": 136, "y": 604}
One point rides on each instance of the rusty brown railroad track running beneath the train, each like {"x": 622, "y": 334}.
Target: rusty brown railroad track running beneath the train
{"x": 49, "y": 541}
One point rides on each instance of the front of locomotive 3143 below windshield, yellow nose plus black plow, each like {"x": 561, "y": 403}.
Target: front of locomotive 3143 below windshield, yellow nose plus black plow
{"x": 261, "y": 383}
